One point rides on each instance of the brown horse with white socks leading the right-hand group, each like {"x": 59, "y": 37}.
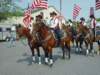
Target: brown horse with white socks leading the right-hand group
{"x": 87, "y": 36}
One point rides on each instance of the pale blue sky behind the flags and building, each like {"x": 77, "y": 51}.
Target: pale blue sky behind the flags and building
{"x": 67, "y": 7}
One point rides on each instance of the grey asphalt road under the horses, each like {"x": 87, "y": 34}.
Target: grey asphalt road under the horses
{"x": 17, "y": 61}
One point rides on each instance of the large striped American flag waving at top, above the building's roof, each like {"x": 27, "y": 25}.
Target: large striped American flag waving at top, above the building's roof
{"x": 39, "y": 4}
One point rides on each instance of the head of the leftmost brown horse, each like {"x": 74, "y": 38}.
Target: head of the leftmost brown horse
{"x": 22, "y": 31}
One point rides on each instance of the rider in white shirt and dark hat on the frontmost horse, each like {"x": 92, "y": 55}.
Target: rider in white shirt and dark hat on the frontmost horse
{"x": 56, "y": 25}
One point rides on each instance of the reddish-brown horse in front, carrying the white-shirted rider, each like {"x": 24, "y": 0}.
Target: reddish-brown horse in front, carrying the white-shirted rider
{"x": 49, "y": 42}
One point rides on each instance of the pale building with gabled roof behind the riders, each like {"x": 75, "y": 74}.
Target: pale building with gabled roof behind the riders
{"x": 16, "y": 20}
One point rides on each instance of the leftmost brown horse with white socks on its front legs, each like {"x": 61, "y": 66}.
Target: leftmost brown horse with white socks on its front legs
{"x": 32, "y": 41}
